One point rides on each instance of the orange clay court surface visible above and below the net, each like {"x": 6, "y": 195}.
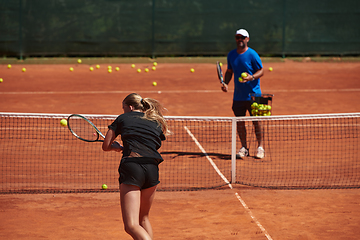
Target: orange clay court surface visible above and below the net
{"x": 299, "y": 87}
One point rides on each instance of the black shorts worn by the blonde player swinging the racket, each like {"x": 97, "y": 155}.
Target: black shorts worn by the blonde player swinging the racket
{"x": 143, "y": 175}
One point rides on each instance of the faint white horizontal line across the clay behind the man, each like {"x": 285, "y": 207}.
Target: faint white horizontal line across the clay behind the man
{"x": 182, "y": 91}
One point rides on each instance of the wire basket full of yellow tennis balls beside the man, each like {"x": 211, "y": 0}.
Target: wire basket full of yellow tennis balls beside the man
{"x": 261, "y": 104}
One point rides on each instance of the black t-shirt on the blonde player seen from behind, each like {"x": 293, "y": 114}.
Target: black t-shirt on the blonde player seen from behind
{"x": 139, "y": 135}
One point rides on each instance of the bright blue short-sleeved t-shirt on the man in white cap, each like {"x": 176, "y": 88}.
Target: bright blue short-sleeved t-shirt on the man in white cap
{"x": 249, "y": 62}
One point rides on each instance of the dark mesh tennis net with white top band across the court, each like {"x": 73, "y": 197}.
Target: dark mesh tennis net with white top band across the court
{"x": 301, "y": 151}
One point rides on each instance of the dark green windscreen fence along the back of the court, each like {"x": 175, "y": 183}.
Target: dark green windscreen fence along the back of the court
{"x": 173, "y": 27}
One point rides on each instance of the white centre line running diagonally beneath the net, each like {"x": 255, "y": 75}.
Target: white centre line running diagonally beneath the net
{"x": 267, "y": 235}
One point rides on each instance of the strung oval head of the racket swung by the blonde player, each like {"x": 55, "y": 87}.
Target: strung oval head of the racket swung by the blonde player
{"x": 84, "y": 129}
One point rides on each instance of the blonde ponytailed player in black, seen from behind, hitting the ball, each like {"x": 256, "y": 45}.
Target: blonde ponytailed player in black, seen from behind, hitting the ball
{"x": 142, "y": 128}
